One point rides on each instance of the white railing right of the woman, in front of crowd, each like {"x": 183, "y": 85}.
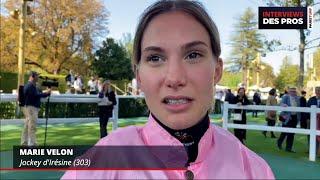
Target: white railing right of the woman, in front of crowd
{"x": 313, "y": 132}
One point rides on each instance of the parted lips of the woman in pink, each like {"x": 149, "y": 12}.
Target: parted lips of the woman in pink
{"x": 177, "y": 103}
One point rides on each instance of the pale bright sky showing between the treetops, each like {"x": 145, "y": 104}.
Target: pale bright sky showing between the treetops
{"x": 124, "y": 15}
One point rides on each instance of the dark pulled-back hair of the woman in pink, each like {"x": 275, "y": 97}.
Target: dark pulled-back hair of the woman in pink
{"x": 192, "y": 8}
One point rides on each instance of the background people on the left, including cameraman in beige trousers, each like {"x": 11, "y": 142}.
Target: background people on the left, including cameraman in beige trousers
{"x": 30, "y": 96}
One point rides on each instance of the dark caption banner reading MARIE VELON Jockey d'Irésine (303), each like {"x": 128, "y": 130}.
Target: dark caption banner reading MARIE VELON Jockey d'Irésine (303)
{"x": 100, "y": 157}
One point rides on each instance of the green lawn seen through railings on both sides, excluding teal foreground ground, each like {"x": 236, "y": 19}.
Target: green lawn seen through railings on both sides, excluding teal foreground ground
{"x": 88, "y": 133}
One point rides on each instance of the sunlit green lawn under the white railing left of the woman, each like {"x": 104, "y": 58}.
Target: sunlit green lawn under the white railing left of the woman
{"x": 61, "y": 134}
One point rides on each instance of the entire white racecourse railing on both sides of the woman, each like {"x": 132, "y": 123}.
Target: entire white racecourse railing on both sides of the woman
{"x": 313, "y": 132}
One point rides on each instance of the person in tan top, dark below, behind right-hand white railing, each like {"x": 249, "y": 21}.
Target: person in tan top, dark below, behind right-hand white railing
{"x": 271, "y": 116}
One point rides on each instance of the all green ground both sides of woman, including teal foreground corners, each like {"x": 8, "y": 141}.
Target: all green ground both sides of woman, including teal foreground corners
{"x": 284, "y": 165}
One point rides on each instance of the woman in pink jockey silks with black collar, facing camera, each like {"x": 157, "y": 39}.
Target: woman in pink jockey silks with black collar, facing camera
{"x": 177, "y": 64}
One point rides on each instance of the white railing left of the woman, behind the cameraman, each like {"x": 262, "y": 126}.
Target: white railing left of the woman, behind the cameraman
{"x": 75, "y": 98}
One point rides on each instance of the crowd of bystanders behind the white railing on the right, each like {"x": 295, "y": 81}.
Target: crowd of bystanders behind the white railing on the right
{"x": 290, "y": 98}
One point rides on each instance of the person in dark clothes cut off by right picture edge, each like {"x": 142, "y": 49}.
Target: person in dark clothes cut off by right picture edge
{"x": 315, "y": 100}
